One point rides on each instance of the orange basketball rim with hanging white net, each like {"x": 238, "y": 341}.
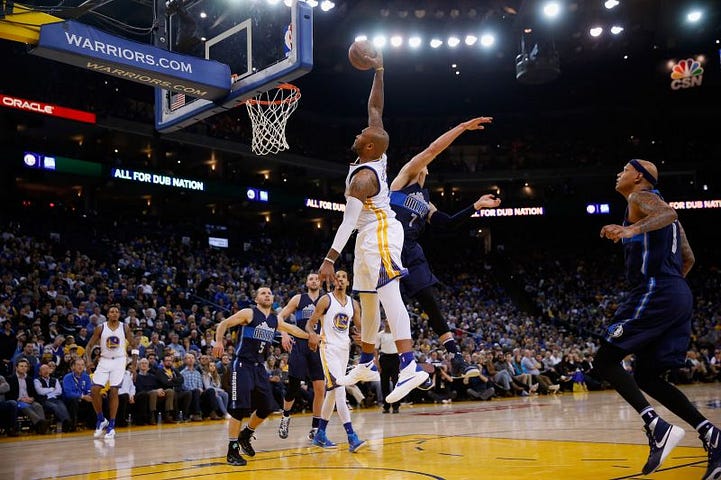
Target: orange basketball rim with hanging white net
{"x": 269, "y": 112}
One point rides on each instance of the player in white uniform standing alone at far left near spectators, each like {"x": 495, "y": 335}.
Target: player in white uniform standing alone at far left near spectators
{"x": 114, "y": 338}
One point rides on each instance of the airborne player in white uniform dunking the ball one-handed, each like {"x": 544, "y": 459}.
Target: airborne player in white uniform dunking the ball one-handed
{"x": 377, "y": 266}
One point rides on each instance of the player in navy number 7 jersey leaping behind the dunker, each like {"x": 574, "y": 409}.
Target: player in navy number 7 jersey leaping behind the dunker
{"x": 411, "y": 203}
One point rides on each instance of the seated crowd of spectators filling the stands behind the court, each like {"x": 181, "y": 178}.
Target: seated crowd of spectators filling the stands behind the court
{"x": 535, "y": 334}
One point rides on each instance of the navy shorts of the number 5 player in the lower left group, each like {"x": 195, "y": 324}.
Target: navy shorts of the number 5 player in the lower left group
{"x": 250, "y": 387}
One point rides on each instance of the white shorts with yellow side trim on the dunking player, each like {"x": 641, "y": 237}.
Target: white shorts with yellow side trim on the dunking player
{"x": 378, "y": 256}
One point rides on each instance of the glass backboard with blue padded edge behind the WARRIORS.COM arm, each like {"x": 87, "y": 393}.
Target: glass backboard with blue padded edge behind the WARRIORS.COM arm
{"x": 264, "y": 44}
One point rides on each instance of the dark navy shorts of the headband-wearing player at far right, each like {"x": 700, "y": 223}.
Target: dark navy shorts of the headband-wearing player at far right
{"x": 654, "y": 322}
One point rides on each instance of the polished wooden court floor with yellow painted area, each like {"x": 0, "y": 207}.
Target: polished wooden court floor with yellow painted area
{"x": 569, "y": 436}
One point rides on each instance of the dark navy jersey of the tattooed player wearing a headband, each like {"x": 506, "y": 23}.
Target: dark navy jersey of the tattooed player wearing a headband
{"x": 653, "y": 254}
